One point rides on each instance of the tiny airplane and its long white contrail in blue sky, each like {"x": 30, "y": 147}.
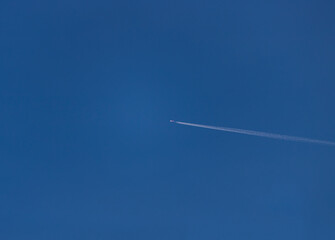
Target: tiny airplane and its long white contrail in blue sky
{"x": 259, "y": 134}
